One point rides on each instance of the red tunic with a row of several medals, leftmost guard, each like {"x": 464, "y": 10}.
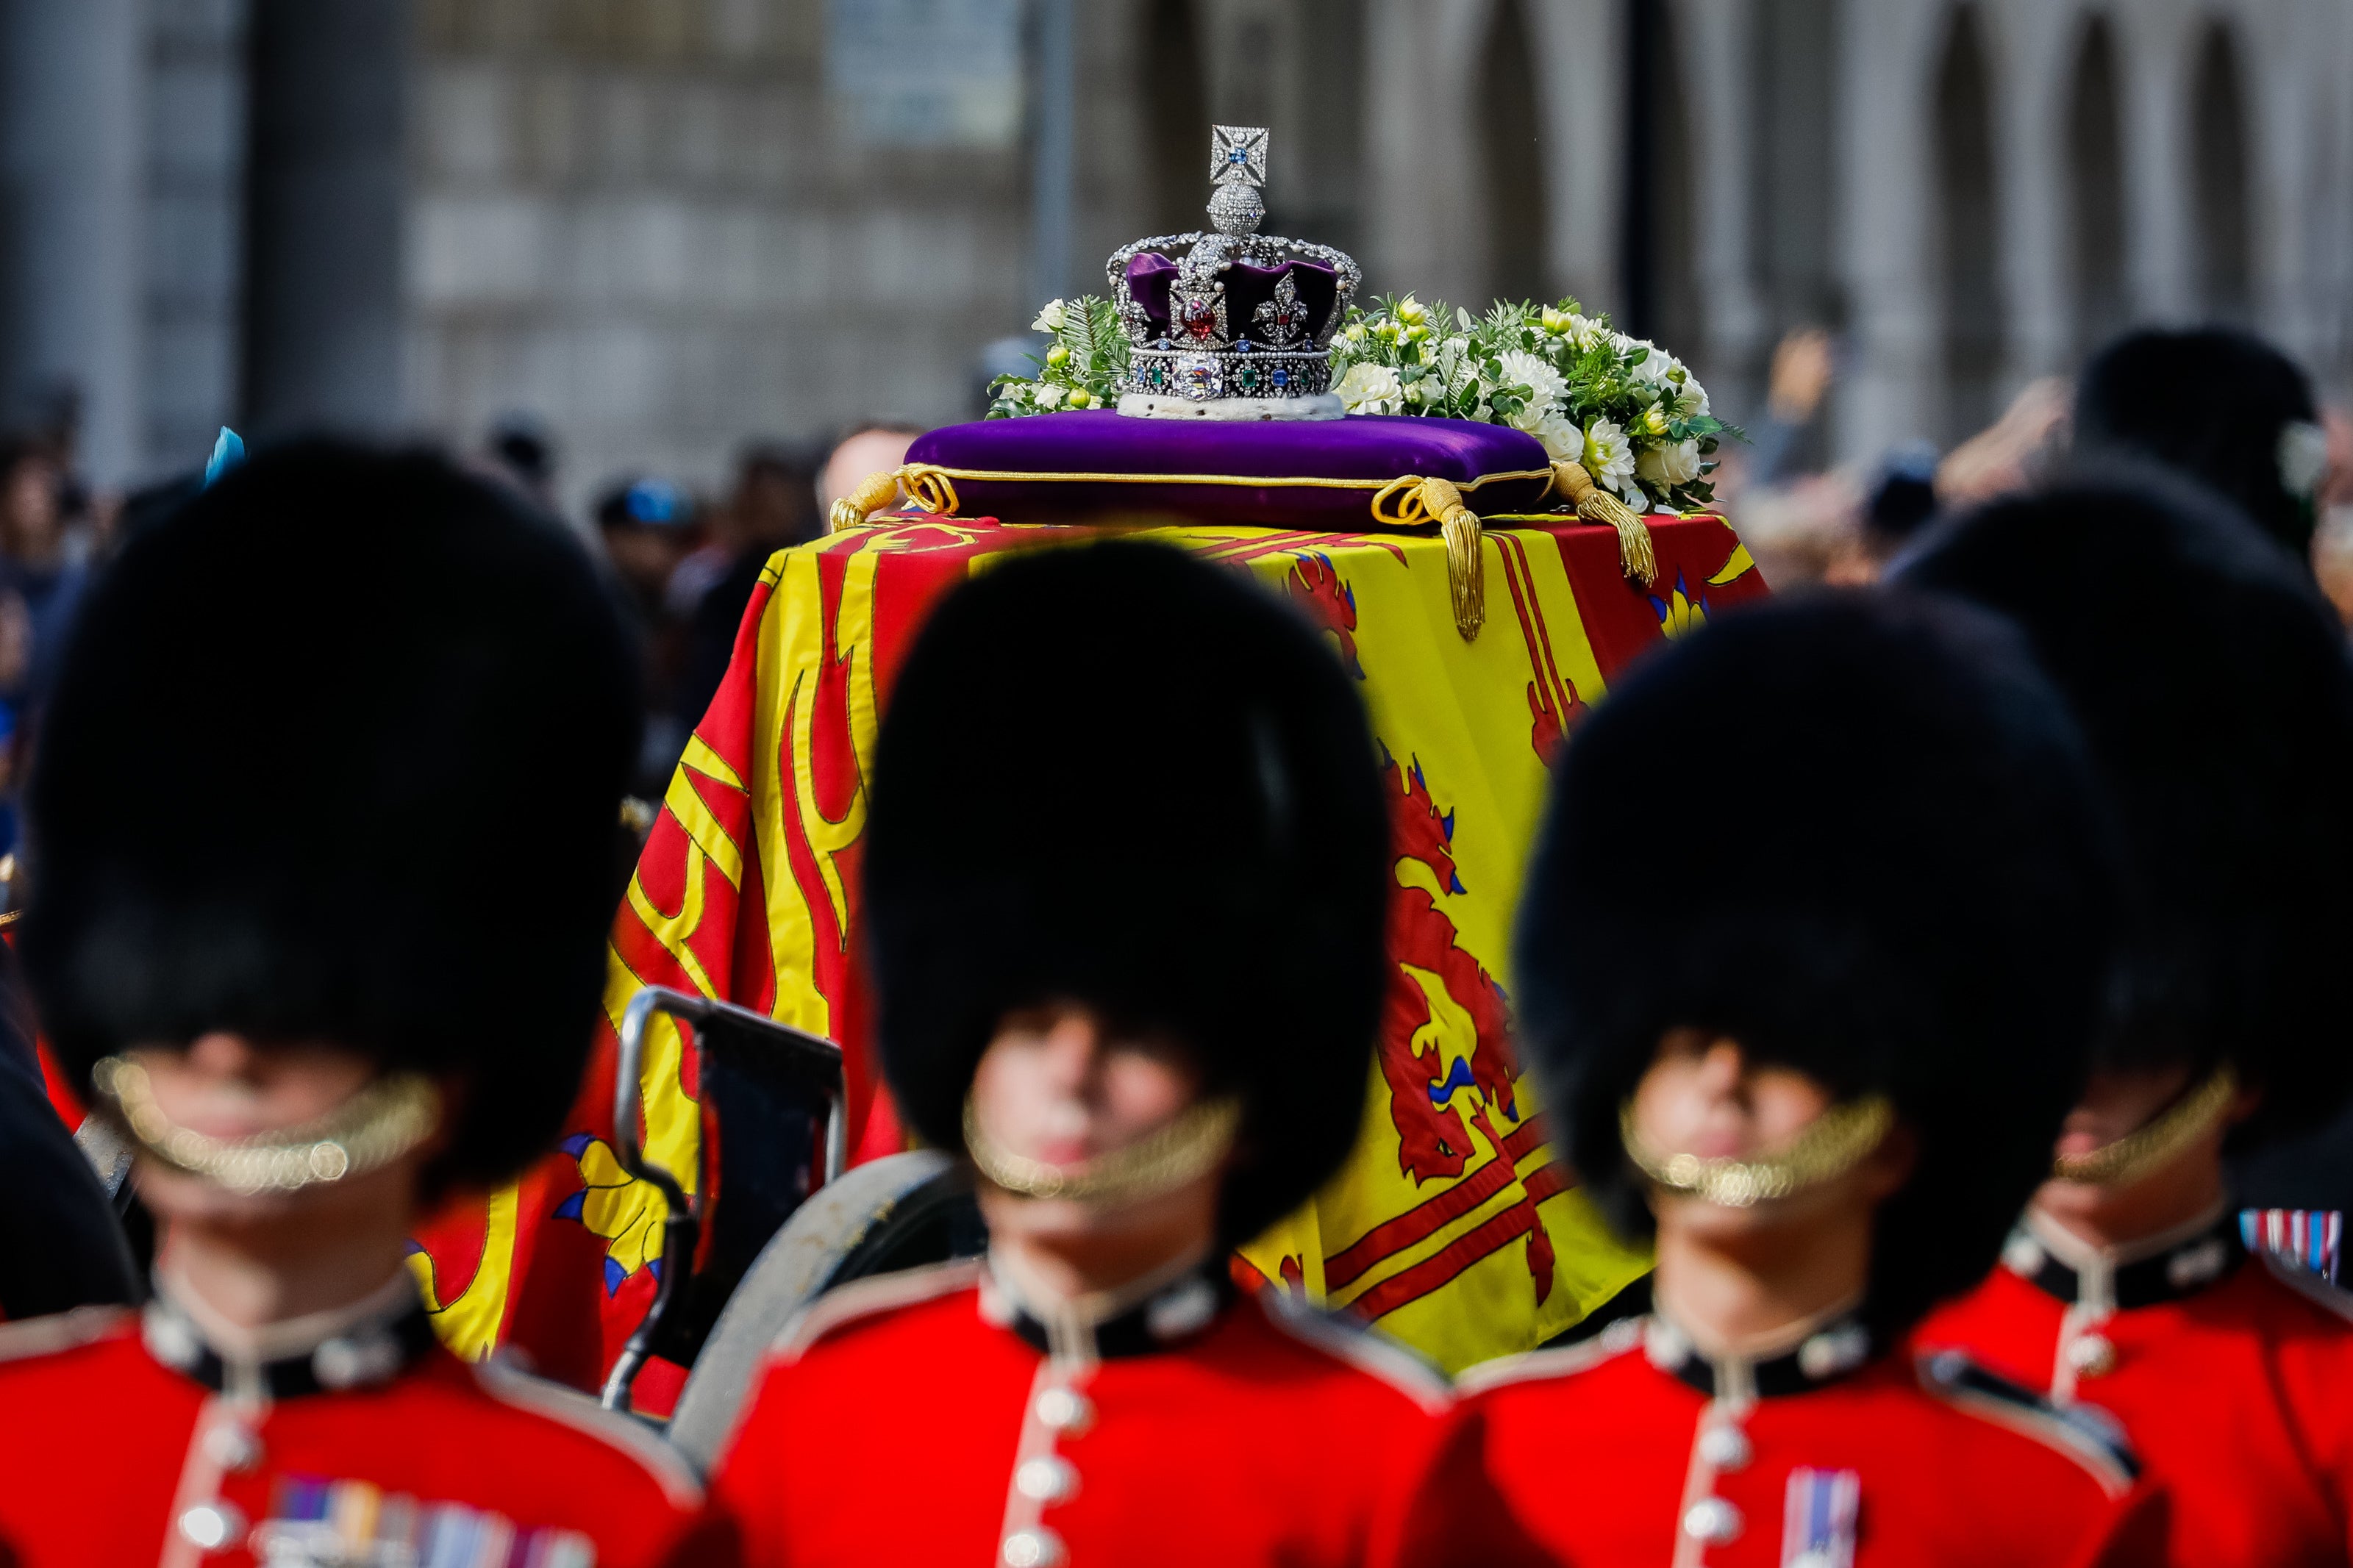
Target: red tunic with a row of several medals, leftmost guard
{"x": 349, "y": 1440}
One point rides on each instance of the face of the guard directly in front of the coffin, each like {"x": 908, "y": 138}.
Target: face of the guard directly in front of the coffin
{"x": 1062, "y": 1085}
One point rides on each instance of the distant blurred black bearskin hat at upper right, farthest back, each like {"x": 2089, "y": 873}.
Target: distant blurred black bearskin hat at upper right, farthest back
{"x": 2211, "y": 403}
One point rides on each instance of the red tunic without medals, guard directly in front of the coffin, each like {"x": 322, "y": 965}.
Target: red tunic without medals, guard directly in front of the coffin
{"x": 928, "y": 1419}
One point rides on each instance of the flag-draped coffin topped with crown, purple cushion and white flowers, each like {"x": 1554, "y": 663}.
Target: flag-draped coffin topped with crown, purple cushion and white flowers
{"x": 1460, "y": 514}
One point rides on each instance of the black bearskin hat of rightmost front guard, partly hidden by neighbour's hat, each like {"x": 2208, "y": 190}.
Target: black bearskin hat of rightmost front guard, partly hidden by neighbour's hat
{"x": 2215, "y": 692}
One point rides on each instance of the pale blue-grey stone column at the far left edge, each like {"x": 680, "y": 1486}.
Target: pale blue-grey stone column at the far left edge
{"x": 69, "y": 220}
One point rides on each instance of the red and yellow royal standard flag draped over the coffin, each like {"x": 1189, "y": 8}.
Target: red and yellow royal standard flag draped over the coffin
{"x": 1453, "y": 1228}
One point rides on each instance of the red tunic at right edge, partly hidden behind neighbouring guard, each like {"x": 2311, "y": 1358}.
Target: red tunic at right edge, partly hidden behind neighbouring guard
{"x": 2229, "y": 1374}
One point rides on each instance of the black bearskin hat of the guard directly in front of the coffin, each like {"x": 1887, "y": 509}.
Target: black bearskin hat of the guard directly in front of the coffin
{"x": 1128, "y": 779}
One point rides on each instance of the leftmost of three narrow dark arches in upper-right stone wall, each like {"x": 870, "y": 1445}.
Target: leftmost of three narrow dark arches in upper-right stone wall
{"x": 1968, "y": 227}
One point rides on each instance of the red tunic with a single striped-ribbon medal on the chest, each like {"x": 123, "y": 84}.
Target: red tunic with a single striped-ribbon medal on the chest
{"x": 1639, "y": 1449}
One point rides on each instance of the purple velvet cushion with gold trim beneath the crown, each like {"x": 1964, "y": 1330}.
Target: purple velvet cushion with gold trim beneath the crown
{"x": 1293, "y": 474}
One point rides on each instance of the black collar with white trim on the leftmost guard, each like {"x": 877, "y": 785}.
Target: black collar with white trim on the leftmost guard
{"x": 328, "y": 1353}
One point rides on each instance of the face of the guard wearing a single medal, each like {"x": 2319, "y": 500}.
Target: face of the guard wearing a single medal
{"x": 1707, "y": 1097}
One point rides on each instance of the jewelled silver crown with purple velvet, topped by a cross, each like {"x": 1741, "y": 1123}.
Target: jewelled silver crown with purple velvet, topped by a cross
{"x": 1239, "y": 316}
